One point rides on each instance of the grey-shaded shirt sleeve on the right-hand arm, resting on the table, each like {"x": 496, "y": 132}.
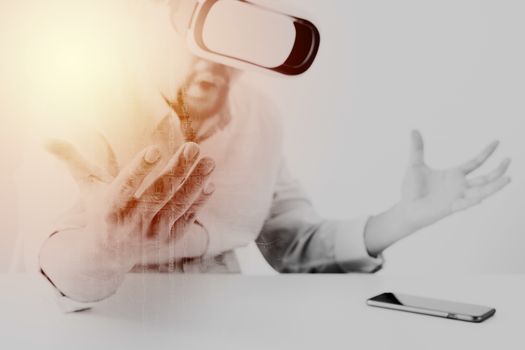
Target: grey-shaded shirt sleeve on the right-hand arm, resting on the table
{"x": 295, "y": 239}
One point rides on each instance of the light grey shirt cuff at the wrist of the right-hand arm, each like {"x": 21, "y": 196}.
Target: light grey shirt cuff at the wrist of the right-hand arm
{"x": 350, "y": 249}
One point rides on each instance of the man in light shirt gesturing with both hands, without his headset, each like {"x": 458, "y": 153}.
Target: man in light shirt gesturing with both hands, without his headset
{"x": 166, "y": 204}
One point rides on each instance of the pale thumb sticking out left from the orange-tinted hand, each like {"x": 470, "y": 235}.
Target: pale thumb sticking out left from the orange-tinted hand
{"x": 81, "y": 170}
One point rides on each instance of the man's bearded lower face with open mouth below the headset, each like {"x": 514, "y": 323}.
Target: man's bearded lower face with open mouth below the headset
{"x": 206, "y": 87}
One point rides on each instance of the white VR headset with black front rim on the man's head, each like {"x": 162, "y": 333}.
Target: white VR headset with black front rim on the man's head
{"x": 247, "y": 35}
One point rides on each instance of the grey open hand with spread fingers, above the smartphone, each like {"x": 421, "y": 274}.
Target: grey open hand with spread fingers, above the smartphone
{"x": 429, "y": 195}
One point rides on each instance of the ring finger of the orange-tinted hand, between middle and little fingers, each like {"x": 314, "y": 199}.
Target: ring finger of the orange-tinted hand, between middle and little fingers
{"x": 189, "y": 192}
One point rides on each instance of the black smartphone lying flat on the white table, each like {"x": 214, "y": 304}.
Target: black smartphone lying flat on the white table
{"x": 432, "y": 307}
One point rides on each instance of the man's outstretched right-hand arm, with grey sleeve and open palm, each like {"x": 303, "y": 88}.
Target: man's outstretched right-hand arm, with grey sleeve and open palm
{"x": 296, "y": 239}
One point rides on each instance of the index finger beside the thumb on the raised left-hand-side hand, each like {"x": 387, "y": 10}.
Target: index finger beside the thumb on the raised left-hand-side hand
{"x": 130, "y": 179}
